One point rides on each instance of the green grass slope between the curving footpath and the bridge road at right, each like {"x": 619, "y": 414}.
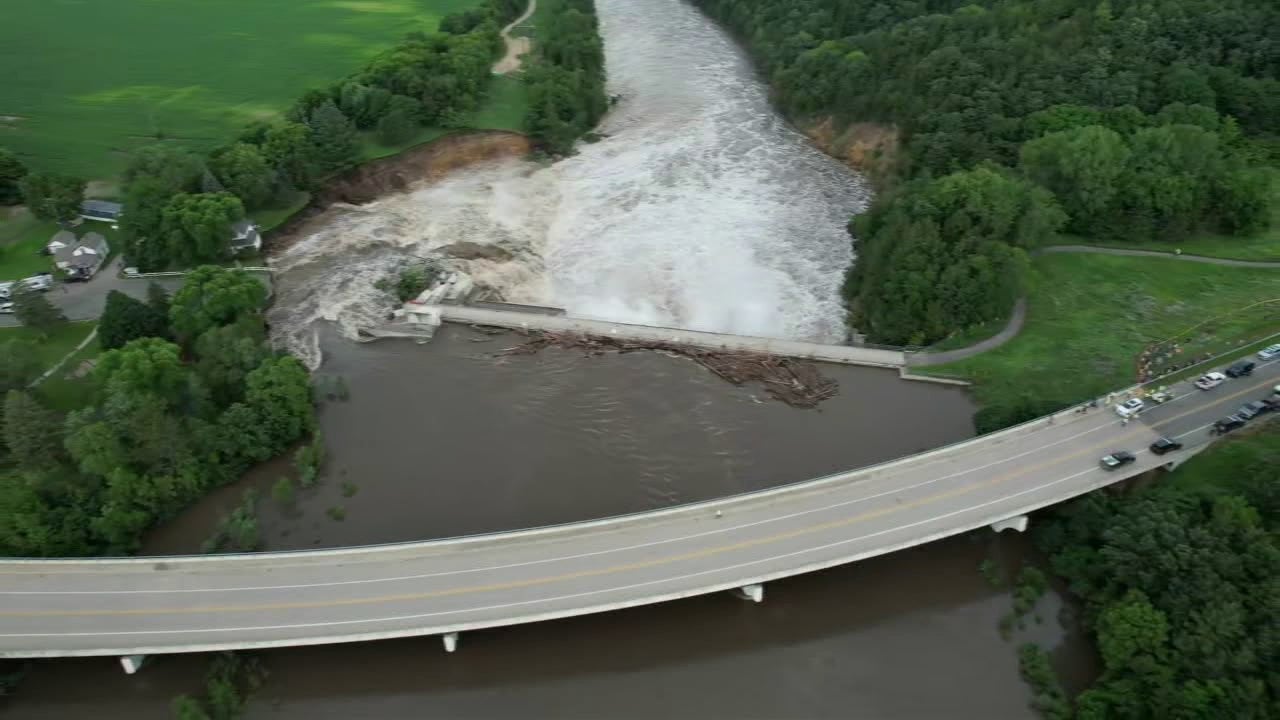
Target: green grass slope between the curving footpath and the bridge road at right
{"x": 1089, "y": 318}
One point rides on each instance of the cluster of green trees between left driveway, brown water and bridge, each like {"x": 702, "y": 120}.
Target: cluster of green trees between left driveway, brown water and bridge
{"x": 186, "y": 398}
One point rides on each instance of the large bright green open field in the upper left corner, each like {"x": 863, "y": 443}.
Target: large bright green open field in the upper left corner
{"x": 88, "y": 83}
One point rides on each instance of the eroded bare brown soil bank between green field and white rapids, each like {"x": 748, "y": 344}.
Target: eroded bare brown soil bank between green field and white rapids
{"x": 399, "y": 174}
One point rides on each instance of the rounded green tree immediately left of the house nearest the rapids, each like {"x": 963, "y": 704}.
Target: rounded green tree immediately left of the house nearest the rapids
{"x": 198, "y": 229}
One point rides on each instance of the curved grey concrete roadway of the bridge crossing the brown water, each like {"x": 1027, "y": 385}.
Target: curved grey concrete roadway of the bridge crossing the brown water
{"x": 139, "y": 607}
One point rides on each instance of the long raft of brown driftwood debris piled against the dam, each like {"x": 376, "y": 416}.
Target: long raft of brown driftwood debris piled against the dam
{"x": 796, "y": 382}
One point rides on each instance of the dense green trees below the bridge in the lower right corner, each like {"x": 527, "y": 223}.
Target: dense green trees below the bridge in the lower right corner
{"x": 1182, "y": 590}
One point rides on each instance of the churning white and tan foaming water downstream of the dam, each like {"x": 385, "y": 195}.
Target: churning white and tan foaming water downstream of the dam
{"x": 701, "y": 208}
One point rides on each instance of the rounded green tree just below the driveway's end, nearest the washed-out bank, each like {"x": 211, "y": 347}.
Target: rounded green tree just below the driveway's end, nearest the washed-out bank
{"x": 214, "y": 297}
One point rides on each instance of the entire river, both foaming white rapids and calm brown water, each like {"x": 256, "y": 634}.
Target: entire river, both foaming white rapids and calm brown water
{"x": 701, "y": 208}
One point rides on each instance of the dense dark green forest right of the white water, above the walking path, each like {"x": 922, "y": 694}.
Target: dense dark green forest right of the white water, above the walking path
{"x": 1023, "y": 119}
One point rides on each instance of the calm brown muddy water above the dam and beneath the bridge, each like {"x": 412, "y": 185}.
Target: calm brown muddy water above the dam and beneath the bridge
{"x": 445, "y": 439}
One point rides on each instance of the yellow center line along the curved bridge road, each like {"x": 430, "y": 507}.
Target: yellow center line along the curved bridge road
{"x": 639, "y": 566}
